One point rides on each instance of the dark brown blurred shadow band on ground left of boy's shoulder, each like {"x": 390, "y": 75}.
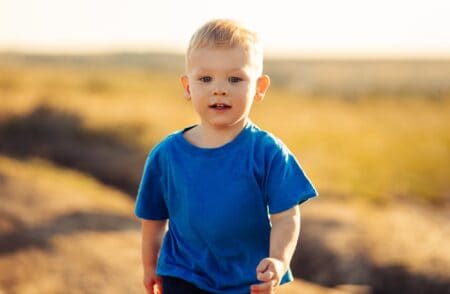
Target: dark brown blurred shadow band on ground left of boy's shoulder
{"x": 61, "y": 138}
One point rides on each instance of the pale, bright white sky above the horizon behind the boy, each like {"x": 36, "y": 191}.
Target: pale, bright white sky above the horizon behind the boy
{"x": 414, "y": 28}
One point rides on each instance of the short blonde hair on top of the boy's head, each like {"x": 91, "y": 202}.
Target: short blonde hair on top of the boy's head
{"x": 226, "y": 33}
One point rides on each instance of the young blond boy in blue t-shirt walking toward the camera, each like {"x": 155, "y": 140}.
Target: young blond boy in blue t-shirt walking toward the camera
{"x": 229, "y": 189}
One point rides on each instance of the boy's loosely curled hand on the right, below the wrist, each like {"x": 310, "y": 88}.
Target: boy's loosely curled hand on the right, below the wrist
{"x": 269, "y": 272}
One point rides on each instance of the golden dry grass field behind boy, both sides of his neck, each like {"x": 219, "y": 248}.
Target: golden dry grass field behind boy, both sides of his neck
{"x": 371, "y": 148}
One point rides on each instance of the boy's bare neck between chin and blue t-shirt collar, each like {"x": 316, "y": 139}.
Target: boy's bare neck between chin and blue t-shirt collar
{"x": 206, "y": 136}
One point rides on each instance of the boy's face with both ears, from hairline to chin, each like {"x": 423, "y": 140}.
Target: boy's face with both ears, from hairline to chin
{"x": 222, "y": 84}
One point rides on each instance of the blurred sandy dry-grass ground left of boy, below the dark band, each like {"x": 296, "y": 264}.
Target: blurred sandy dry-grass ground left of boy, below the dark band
{"x": 64, "y": 232}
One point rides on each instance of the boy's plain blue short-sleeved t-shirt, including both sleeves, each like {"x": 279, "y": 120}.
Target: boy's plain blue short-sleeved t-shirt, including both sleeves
{"x": 218, "y": 202}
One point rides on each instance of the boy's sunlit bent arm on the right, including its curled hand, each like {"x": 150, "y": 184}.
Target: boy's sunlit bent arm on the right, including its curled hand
{"x": 283, "y": 241}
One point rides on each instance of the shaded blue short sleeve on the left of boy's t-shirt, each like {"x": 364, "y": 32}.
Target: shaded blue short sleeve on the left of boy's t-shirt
{"x": 150, "y": 202}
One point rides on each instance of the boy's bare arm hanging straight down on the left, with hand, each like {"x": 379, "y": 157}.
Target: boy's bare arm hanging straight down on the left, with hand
{"x": 152, "y": 234}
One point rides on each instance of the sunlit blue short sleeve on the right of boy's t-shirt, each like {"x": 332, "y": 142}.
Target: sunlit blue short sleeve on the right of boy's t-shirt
{"x": 286, "y": 183}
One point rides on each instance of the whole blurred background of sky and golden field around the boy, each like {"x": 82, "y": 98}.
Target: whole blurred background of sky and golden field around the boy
{"x": 360, "y": 93}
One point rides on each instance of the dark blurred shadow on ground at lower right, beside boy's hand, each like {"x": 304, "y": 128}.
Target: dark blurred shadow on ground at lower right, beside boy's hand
{"x": 316, "y": 262}
